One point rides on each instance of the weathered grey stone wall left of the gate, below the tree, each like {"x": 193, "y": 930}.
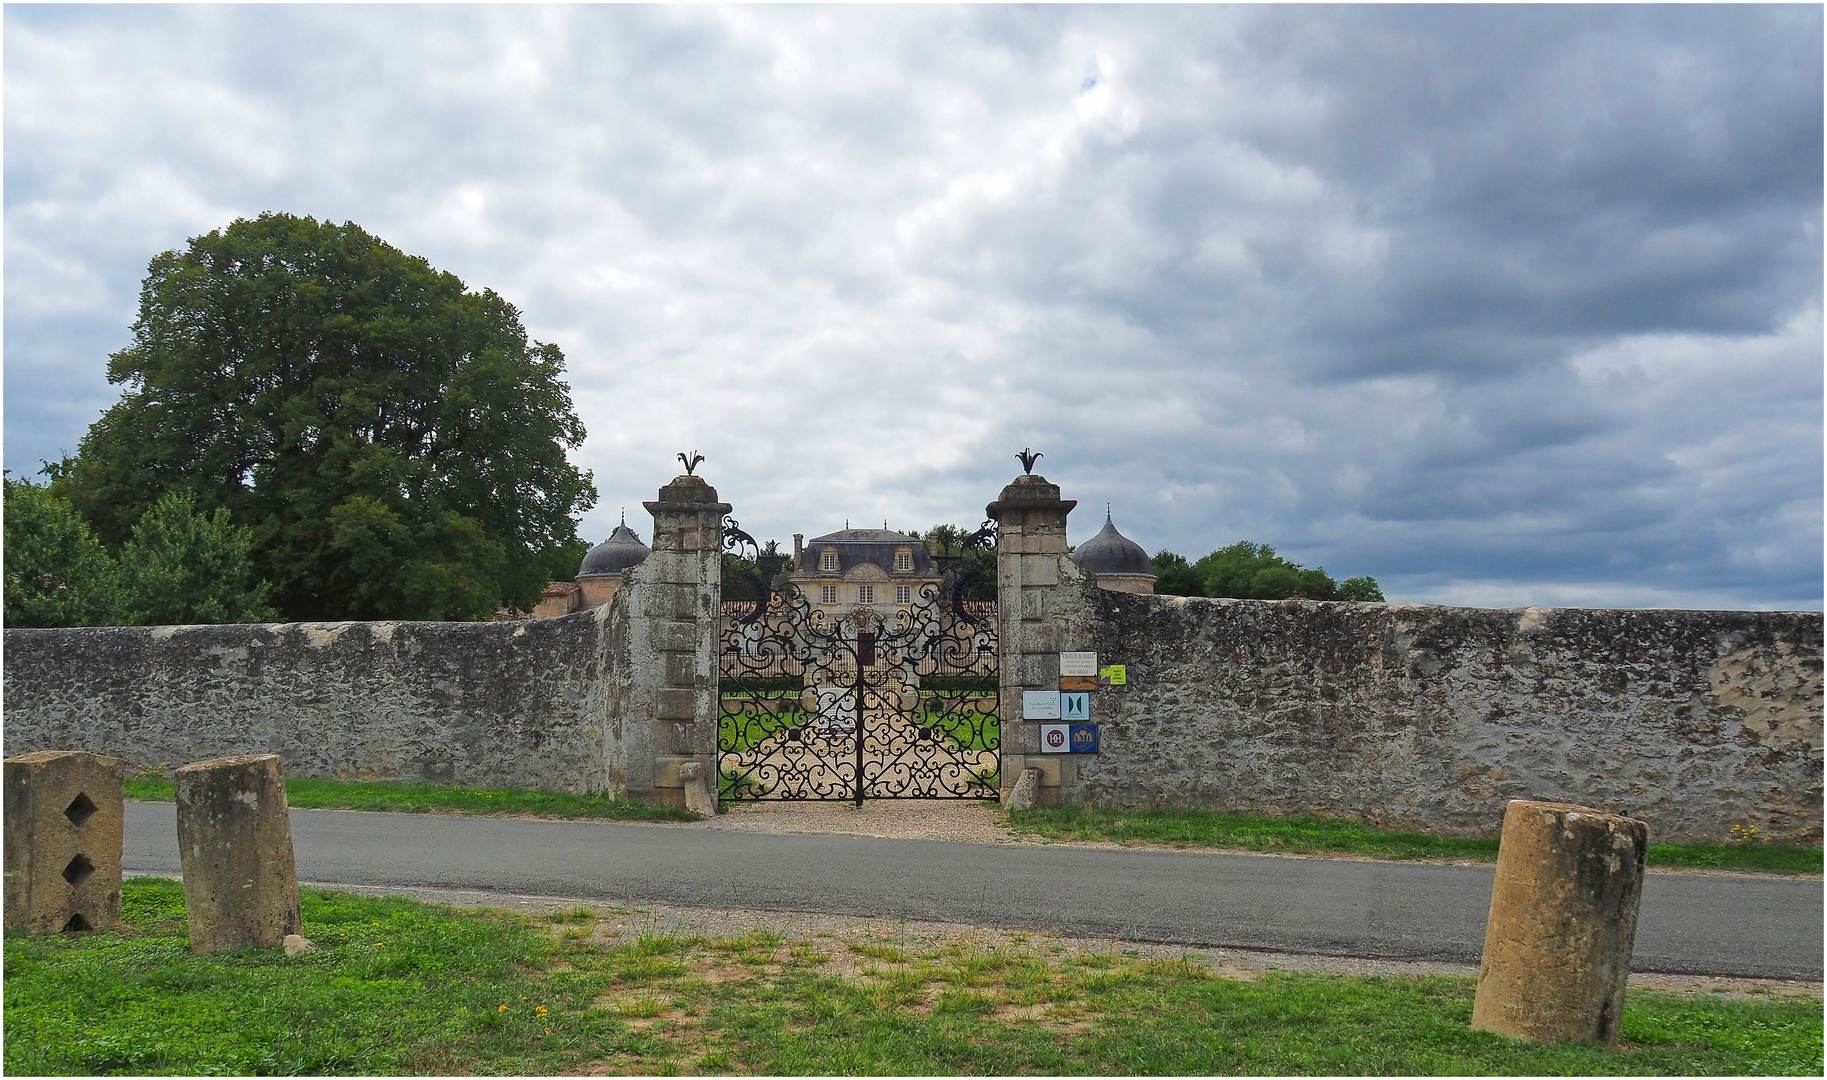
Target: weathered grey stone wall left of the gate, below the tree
{"x": 480, "y": 704}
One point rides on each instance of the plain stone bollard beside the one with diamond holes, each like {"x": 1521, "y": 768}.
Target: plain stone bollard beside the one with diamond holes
{"x": 237, "y": 847}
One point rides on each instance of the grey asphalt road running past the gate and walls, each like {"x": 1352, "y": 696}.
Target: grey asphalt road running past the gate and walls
{"x": 1724, "y": 926}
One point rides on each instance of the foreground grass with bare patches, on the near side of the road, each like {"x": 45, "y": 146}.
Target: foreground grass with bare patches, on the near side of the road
{"x": 410, "y": 988}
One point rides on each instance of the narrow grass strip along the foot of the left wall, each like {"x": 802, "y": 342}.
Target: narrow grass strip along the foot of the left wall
{"x": 403, "y": 798}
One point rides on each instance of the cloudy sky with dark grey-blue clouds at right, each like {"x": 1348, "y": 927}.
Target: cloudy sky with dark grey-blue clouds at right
{"x": 1499, "y": 306}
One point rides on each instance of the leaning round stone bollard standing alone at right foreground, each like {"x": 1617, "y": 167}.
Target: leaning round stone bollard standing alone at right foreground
{"x": 1563, "y": 924}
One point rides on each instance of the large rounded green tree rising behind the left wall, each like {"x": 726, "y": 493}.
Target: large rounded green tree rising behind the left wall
{"x": 394, "y": 441}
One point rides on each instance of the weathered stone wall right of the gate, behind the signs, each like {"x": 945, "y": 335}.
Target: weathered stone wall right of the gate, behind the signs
{"x": 1435, "y": 717}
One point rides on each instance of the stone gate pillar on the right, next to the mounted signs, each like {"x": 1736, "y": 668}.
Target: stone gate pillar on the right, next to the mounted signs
{"x": 1037, "y": 586}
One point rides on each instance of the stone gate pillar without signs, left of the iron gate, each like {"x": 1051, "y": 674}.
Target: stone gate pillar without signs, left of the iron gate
{"x": 673, "y": 633}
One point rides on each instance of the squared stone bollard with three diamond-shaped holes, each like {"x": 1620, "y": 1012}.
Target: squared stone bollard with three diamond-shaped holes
{"x": 63, "y": 842}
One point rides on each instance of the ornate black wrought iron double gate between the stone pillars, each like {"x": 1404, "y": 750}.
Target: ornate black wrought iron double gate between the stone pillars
{"x": 858, "y": 706}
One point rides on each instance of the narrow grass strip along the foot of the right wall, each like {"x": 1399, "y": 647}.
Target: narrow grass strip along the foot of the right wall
{"x": 1201, "y": 829}
